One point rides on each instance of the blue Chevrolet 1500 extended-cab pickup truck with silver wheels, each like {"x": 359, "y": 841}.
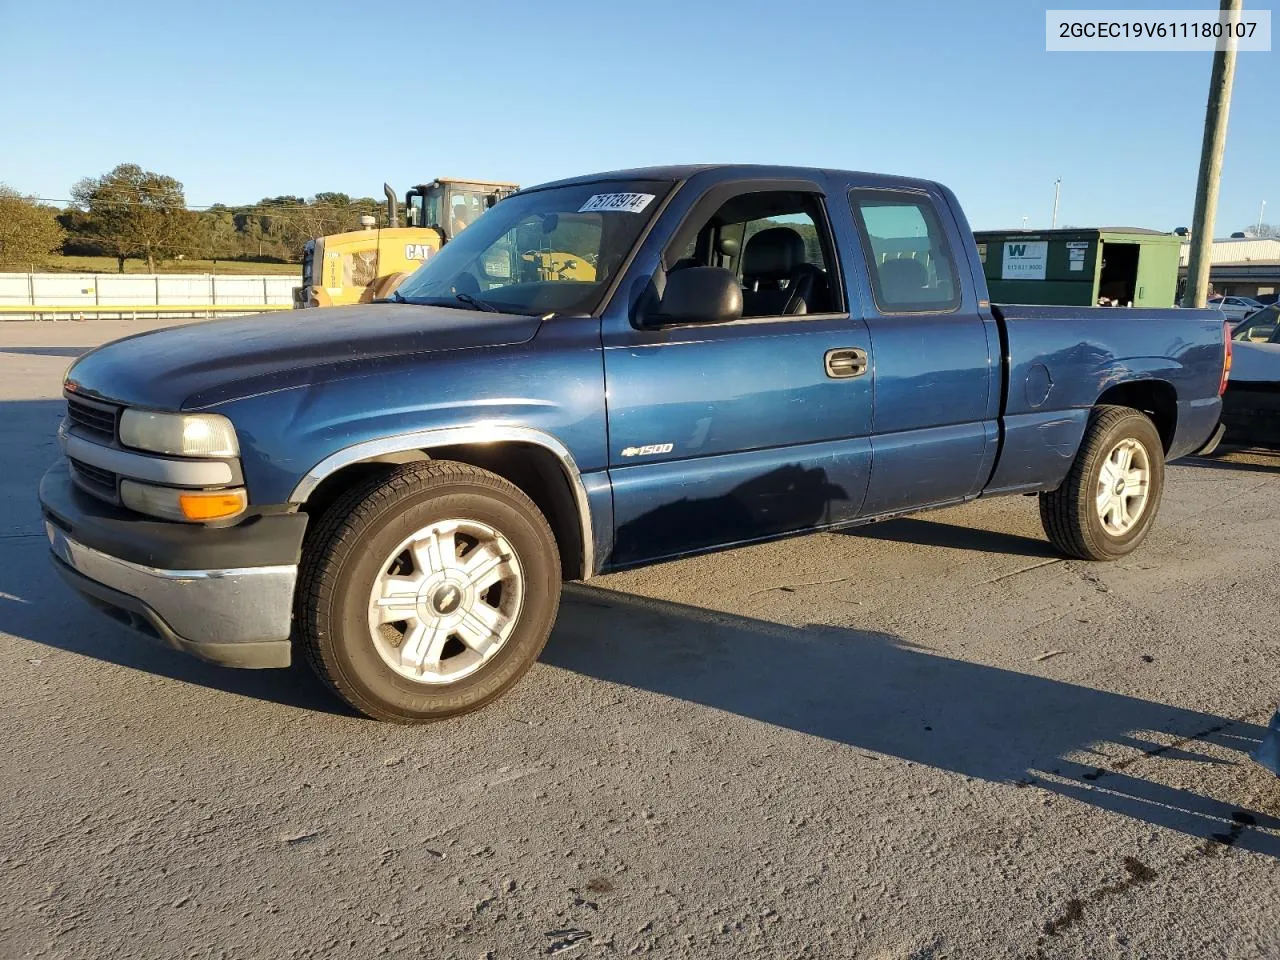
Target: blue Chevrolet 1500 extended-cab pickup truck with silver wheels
{"x": 600, "y": 373}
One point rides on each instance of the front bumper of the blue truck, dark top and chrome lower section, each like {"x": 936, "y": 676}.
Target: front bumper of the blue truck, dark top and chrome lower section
{"x": 237, "y": 616}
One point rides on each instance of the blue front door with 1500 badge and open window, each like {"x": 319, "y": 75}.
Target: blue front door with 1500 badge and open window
{"x": 737, "y": 432}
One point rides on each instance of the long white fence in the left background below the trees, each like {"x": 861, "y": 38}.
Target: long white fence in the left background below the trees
{"x": 85, "y": 296}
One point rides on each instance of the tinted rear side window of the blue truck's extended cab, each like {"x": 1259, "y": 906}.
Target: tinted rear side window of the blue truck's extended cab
{"x": 907, "y": 252}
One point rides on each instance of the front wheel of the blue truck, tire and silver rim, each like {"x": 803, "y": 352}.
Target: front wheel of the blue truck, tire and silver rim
{"x": 356, "y": 547}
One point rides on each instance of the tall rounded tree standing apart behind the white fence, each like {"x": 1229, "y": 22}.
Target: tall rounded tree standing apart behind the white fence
{"x": 138, "y": 213}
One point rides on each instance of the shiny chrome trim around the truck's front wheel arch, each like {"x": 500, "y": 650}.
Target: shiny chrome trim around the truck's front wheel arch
{"x": 458, "y": 437}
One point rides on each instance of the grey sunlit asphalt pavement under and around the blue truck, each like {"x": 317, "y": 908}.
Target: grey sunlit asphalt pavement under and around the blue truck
{"x": 931, "y": 738}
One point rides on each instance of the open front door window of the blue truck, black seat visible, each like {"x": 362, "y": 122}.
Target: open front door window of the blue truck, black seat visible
{"x": 776, "y": 243}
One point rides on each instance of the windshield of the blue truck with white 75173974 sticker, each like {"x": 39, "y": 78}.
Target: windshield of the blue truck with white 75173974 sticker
{"x": 550, "y": 252}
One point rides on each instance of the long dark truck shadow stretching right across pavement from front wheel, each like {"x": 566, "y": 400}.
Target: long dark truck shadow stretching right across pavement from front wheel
{"x": 875, "y": 693}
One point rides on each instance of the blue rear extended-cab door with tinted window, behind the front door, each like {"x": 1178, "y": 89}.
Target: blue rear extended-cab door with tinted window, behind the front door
{"x": 938, "y": 377}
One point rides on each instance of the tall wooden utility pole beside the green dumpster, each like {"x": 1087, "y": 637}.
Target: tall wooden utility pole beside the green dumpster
{"x": 1212, "y": 166}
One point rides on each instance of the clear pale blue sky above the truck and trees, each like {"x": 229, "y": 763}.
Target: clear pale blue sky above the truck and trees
{"x": 244, "y": 100}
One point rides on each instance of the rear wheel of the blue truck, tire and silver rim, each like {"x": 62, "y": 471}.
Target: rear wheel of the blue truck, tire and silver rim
{"x": 1075, "y": 518}
